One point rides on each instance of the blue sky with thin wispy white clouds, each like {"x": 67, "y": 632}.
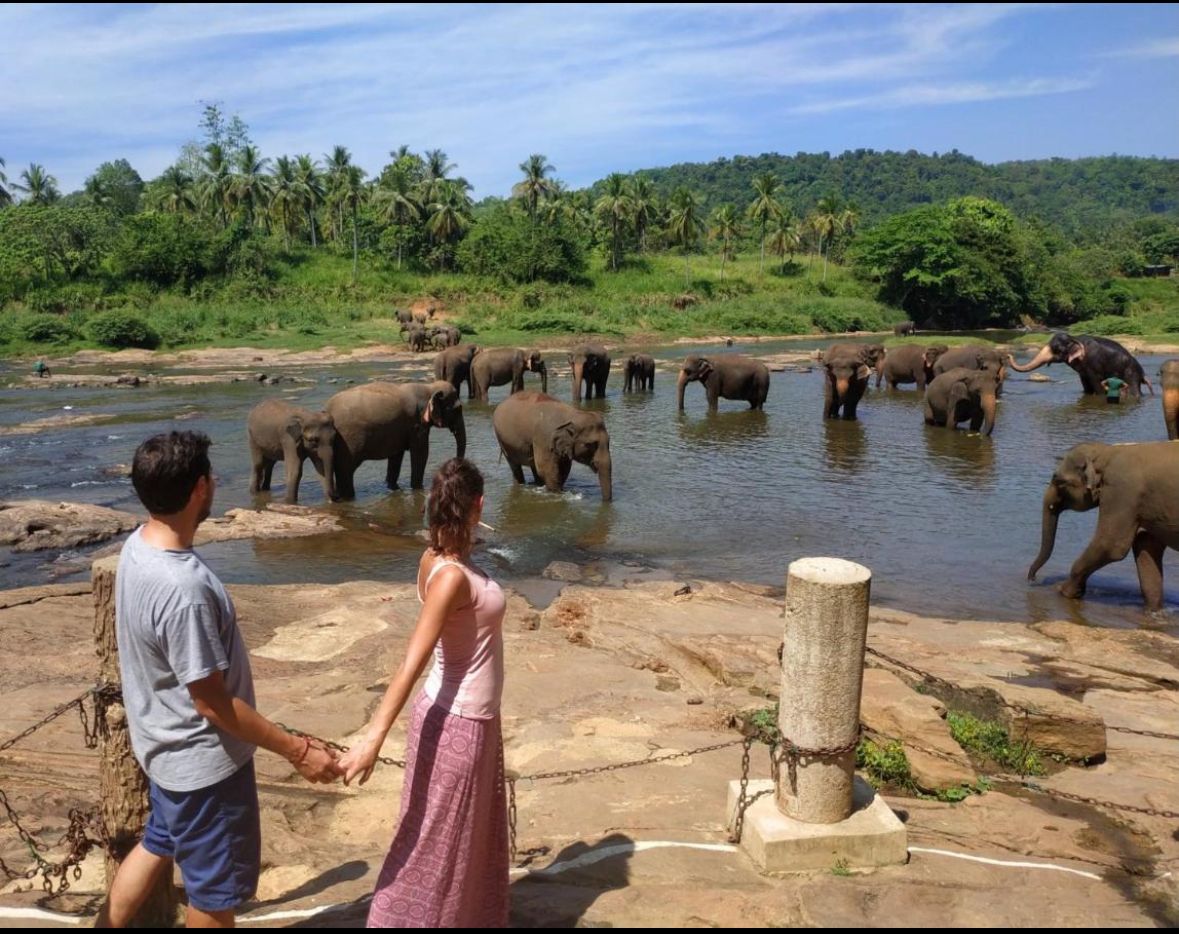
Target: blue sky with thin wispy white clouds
{"x": 596, "y": 89}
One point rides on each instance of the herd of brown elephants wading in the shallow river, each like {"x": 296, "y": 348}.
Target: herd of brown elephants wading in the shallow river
{"x": 1135, "y": 486}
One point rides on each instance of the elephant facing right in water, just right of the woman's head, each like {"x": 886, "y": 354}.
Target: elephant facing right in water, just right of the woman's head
{"x": 535, "y": 430}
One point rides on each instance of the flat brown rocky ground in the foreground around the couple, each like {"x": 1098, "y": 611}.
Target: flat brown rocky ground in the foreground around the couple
{"x": 616, "y": 674}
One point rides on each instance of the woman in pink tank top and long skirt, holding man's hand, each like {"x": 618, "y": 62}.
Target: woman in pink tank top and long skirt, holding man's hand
{"x": 449, "y": 864}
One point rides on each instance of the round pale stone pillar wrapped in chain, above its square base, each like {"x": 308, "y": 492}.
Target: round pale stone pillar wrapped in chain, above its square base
{"x": 822, "y": 675}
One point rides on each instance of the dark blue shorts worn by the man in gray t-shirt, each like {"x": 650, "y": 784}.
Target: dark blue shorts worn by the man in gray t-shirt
{"x": 215, "y": 837}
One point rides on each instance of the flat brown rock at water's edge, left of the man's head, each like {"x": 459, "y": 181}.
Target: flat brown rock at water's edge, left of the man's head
{"x": 36, "y": 525}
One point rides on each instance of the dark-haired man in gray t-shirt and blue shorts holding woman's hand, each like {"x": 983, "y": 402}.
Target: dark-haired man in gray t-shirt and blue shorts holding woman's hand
{"x": 189, "y": 698}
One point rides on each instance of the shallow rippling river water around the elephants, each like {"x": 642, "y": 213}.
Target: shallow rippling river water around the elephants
{"x": 947, "y": 522}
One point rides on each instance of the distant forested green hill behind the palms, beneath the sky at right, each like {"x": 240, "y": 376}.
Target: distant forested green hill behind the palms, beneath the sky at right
{"x": 1081, "y": 198}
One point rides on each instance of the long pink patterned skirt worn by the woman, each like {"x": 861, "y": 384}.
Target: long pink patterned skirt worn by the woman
{"x": 449, "y": 864}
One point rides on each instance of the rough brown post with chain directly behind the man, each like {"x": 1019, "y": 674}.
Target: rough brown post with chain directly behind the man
{"x": 123, "y": 785}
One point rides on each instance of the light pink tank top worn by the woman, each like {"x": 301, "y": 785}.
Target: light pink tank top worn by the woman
{"x": 467, "y": 679}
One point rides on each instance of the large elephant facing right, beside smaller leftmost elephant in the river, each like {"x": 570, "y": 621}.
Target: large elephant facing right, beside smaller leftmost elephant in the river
{"x": 384, "y": 420}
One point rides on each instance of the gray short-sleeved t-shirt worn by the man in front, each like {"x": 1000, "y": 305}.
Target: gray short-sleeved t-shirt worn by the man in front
{"x": 177, "y": 626}
